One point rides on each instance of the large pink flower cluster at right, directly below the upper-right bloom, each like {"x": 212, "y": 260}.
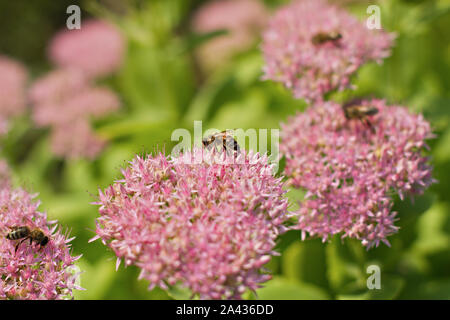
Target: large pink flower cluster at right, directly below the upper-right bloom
{"x": 350, "y": 171}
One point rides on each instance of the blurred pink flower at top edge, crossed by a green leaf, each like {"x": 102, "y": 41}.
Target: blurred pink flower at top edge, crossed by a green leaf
{"x": 242, "y": 19}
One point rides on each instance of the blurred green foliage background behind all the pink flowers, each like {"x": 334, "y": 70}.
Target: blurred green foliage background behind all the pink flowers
{"x": 162, "y": 89}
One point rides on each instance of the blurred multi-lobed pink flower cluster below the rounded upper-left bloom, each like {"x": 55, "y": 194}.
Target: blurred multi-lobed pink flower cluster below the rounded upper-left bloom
{"x": 64, "y": 100}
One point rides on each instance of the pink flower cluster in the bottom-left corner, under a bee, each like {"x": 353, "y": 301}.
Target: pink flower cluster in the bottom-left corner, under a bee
{"x": 33, "y": 272}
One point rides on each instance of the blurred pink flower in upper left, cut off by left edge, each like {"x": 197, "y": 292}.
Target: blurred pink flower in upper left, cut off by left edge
{"x": 13, "y": 79}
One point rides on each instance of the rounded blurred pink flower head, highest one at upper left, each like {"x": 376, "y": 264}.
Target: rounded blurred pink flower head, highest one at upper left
{"x": 96, "y": 49}
